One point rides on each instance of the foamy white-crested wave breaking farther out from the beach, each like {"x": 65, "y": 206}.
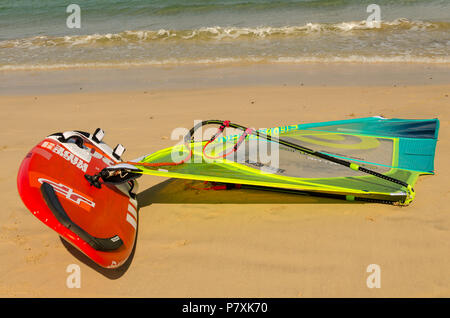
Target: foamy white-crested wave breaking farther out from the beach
{"x": 218, "y": 33}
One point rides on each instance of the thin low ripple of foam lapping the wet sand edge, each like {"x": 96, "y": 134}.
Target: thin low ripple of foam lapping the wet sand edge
{"x": 224, "y": 61}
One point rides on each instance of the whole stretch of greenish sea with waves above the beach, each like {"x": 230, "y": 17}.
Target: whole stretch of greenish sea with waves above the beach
{"x": 37, "y": 34}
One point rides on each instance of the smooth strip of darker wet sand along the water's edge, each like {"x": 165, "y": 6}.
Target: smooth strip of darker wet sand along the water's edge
{"x": 150, "y": 78}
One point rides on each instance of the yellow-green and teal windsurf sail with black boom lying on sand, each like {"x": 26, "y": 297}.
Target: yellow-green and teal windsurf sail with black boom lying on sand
{"x": 369, "y": 159}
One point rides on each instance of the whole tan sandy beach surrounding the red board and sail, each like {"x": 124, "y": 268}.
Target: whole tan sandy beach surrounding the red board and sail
{"x": 240, "y": 243}
